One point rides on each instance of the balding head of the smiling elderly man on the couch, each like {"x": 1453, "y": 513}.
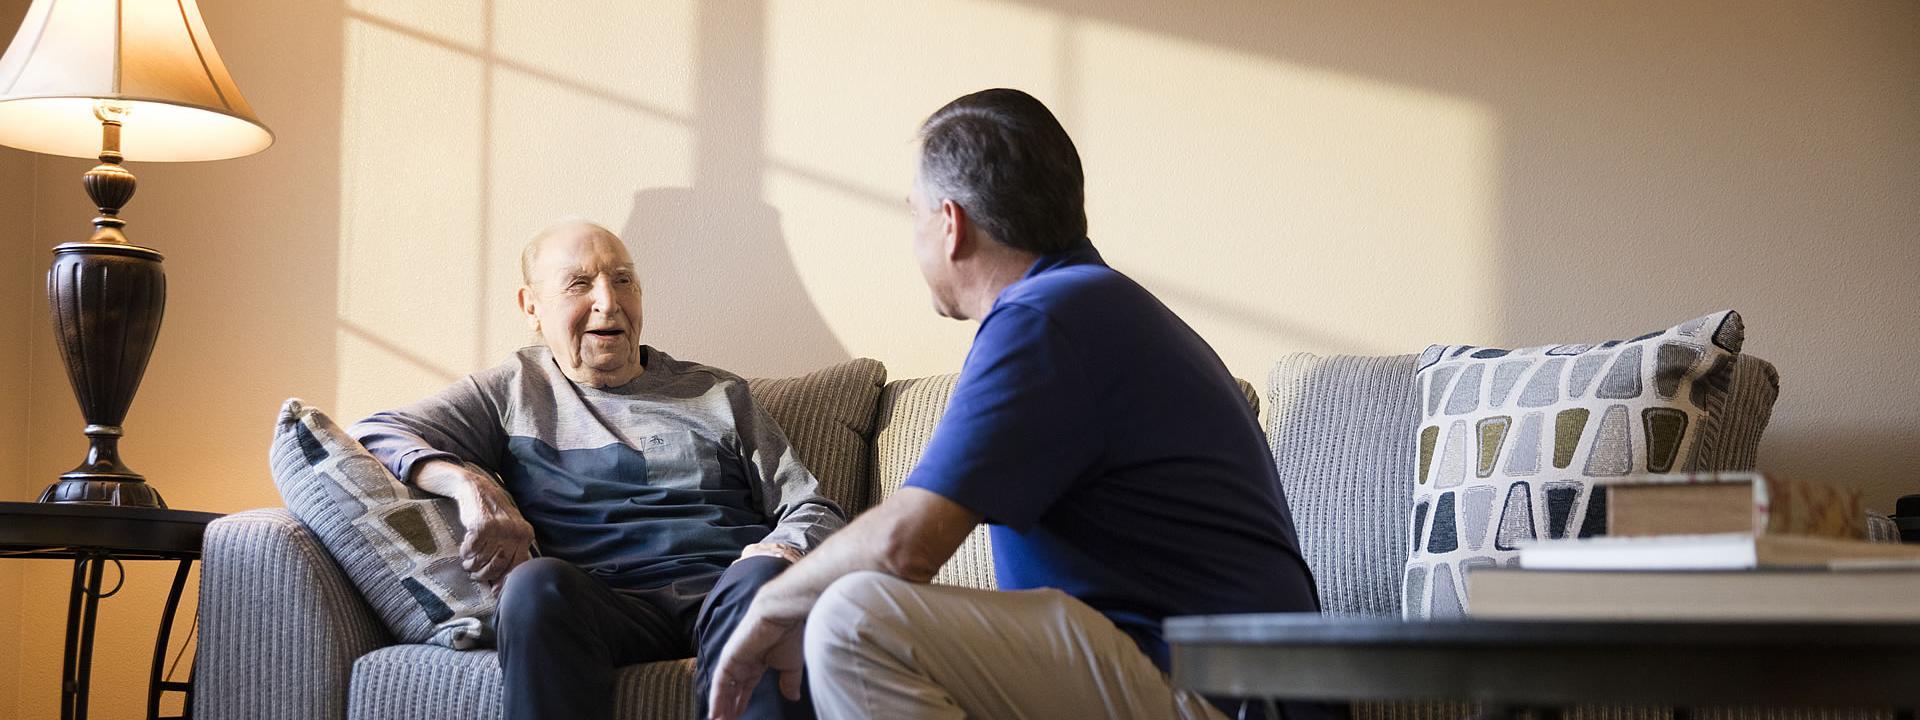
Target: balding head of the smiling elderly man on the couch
{"x": 585, "y": 304}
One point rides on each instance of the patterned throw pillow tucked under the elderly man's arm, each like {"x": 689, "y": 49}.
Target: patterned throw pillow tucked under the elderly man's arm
{"x": 400, "y": 546}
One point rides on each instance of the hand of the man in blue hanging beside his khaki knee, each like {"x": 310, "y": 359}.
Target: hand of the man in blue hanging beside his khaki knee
{"x": 759, "y": 644}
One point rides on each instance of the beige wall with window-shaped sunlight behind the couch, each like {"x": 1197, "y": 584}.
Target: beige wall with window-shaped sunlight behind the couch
{"x": 1333, "y": 178}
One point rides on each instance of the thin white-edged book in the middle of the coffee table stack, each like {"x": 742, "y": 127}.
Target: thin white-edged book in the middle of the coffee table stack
{"x": 1714, "y": 552}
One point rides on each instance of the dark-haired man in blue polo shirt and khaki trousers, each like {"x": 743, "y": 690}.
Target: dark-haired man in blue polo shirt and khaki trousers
{"x": 1113, "y": 454}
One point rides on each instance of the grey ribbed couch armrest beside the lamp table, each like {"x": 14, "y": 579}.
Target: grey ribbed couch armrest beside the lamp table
{"x": 279, "y": 625}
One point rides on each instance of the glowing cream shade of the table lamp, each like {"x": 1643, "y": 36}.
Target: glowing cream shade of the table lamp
{"x": 149, "y": 59}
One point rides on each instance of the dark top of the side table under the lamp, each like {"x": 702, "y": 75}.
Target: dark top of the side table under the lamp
{"x": 132, "y": 533}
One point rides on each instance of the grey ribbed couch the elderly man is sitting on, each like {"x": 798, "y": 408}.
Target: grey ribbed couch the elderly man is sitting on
{"x": 287, "y": 636}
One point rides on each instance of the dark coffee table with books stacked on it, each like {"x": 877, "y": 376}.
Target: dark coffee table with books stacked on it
{"x": 1533, "y": 663}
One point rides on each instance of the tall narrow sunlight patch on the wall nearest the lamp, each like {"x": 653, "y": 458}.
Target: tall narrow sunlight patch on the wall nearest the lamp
{"x": 410, "y": 212}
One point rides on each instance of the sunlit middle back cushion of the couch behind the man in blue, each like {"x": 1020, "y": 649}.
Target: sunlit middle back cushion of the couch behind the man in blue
{"x": 909, "y": 412}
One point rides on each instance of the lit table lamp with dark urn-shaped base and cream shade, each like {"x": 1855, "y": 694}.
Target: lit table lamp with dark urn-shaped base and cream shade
{"x": 116, "y": 80}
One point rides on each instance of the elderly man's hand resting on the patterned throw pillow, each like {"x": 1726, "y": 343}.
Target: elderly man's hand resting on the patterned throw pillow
{"x": 498, "y": 539}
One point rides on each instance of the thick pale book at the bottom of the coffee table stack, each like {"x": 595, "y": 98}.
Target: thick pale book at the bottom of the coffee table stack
{"x": 1781, "y": 596}
